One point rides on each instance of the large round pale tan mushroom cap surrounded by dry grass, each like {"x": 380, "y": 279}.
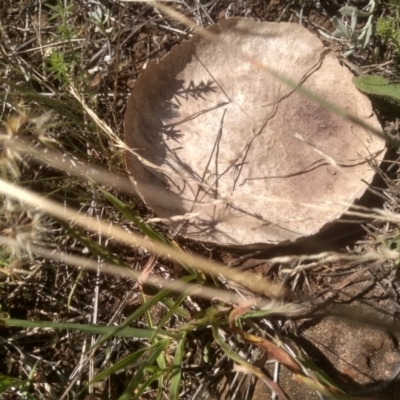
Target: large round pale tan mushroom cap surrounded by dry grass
{"x": 240, "y": 156}
